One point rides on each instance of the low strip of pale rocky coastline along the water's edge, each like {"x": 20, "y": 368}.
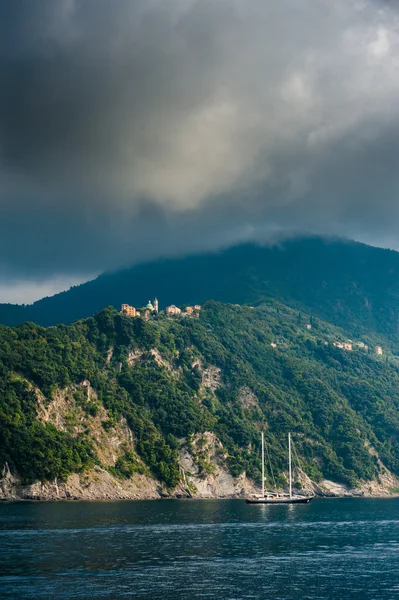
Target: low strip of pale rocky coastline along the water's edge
{"x": 100, "y": 485}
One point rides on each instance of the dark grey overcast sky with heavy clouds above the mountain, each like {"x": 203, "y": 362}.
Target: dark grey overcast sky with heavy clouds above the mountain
{"x": 142, "y": 128}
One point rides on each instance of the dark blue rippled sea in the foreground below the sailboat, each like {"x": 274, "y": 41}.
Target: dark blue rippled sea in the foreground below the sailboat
{"x": 209, "y": 549}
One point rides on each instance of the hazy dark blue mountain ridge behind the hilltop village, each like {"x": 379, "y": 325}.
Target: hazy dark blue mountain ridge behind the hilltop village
{"x": 348, "y": 284}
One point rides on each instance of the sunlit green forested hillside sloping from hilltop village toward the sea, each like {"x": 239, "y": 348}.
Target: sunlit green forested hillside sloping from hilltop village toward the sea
{"x": 234, "y": 372}
